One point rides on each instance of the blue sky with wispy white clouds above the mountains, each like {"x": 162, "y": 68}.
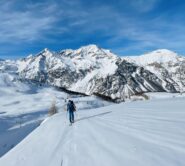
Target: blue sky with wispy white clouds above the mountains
{"x": 126, "y": 27}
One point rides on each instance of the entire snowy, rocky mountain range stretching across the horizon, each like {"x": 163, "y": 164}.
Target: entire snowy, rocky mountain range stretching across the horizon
{"x": 91, "y": 70}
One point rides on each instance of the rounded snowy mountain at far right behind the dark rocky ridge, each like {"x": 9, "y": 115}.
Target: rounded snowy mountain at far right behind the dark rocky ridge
{"x": 167, "y": 65}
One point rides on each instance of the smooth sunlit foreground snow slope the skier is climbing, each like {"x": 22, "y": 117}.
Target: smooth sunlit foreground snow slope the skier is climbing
{"x": 146, "y": 133}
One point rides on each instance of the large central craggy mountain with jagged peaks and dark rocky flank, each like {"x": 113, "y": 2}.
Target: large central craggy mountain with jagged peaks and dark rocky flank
{"x": 91, "y": 70}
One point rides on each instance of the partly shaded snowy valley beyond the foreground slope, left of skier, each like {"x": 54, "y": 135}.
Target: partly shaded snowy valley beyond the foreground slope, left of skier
{"x": 24, "y": 106}
